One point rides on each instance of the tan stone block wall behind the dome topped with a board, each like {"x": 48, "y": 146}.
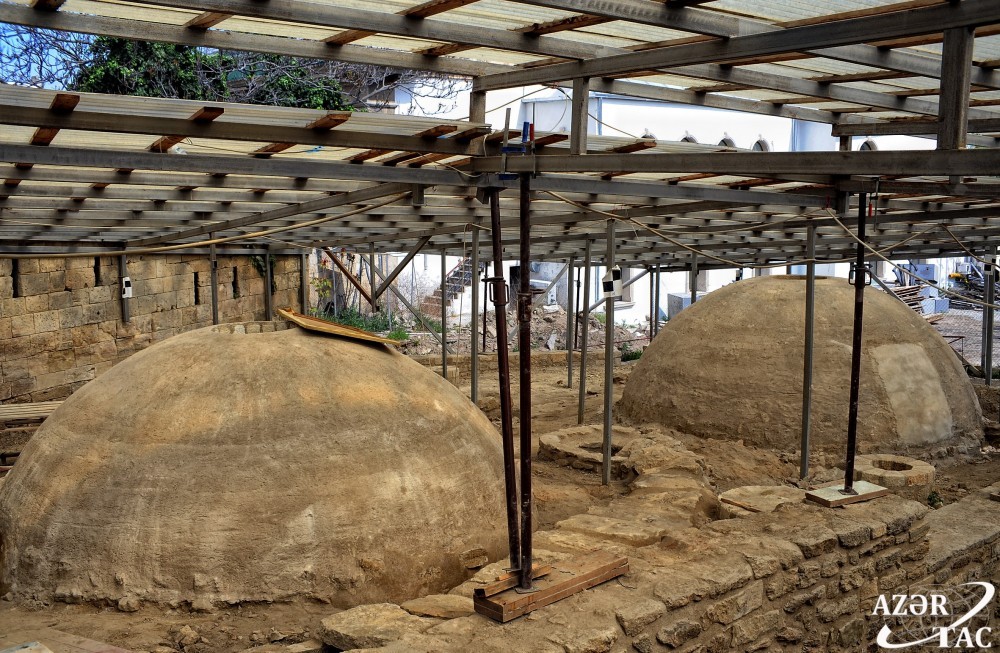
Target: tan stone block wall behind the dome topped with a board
{"x": 60, "y": 319}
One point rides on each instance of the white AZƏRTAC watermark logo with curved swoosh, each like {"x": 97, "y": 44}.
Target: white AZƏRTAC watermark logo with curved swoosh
{"x": 945, "y": 616}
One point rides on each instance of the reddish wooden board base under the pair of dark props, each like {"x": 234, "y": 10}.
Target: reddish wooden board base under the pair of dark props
{"x": 566, "y": 578}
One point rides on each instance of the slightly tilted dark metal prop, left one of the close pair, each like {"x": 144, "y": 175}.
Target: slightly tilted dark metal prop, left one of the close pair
{"x": 498, "y": 292}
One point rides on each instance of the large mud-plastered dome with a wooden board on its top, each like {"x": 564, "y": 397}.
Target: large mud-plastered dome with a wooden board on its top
{"x": 231, "y": 467}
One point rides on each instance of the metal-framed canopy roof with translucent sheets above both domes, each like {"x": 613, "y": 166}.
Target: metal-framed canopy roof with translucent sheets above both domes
{"x": 314, "y": 167}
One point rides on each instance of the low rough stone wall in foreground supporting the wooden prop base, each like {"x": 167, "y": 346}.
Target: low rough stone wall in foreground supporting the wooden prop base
{"x": 800, "y": 578}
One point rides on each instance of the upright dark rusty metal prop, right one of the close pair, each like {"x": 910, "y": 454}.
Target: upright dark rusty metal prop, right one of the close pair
{"x": 524, "y": 357}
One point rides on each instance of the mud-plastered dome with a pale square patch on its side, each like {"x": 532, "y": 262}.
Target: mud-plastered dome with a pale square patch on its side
{"x": 730, "y": 367}
